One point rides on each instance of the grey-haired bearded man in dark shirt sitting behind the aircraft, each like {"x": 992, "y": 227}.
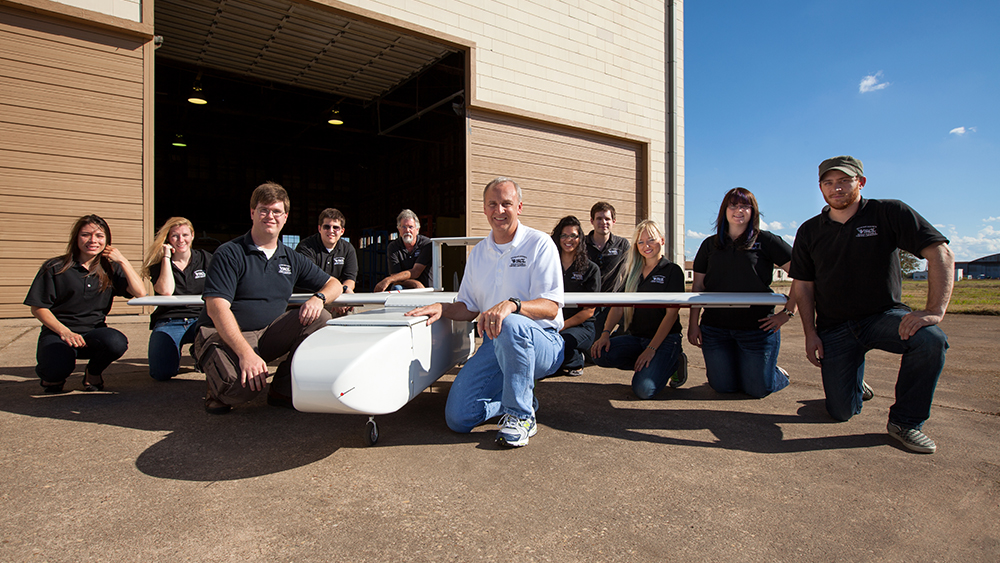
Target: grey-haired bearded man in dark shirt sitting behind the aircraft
{"x": 409, "y": 256}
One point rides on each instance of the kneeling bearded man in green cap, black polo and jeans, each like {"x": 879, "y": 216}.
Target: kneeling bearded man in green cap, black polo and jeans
{"x": 845, "y": 263}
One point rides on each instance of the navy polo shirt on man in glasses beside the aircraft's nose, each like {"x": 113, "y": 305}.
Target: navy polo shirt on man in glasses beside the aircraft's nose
{"x": 258, "y": 288}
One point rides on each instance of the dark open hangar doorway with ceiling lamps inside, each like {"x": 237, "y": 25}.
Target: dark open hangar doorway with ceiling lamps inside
{"x": 273, "y": 73}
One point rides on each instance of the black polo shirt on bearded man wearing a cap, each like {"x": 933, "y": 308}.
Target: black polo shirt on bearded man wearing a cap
{"x": 855, "y": 265}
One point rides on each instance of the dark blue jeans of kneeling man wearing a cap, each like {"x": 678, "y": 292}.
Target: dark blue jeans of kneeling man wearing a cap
{"x": 844, "y": 349}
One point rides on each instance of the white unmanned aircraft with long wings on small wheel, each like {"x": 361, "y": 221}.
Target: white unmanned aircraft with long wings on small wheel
{"x": 375, "y": 361}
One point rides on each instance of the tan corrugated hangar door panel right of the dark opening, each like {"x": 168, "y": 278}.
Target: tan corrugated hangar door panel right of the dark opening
{"x": 561, "y": 172}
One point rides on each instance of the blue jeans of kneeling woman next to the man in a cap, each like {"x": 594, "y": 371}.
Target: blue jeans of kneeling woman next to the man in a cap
{"x": 742, "y": 360}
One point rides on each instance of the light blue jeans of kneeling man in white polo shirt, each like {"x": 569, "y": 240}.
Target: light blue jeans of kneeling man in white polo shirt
{"x": 500, "y": 377}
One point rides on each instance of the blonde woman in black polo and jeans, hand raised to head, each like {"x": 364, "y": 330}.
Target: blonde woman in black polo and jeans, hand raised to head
{"x": 175, "y": 269}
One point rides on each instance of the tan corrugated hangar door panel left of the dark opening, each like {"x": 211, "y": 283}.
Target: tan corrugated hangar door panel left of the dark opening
{"x": 71, "y": 119}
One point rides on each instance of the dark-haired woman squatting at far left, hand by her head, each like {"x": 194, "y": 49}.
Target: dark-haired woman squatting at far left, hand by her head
{"x": 71, "y": 295}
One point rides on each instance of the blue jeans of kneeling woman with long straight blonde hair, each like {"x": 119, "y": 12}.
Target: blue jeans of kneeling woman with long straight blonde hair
{"x": 650, "y": 380}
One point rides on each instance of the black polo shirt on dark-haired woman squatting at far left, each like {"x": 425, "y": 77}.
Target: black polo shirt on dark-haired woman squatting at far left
{"x": 74, "y": 296}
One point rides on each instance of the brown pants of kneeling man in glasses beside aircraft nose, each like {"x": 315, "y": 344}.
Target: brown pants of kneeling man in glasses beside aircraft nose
{"x": 222, "y": 366}
